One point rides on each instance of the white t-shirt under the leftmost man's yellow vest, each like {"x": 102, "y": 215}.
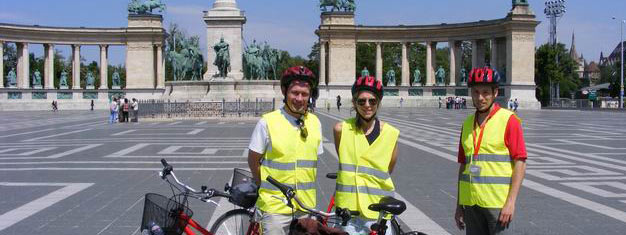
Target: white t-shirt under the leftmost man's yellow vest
{"x": 260, "y": 140}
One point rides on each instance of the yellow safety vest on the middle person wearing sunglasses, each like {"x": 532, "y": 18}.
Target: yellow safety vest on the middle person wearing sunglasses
{"x": 363, "y": 177}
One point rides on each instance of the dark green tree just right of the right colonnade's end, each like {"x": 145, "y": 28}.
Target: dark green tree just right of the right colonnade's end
{"x": 562, "y": 73}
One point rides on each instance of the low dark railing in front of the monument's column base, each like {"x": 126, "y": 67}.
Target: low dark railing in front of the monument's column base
{"x": 200, "y": 109}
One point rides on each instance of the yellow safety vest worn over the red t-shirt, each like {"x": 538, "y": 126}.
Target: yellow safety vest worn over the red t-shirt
{"x": 490, "y": 187}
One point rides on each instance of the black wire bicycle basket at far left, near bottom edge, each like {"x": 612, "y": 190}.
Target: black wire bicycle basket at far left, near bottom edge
{"x": 166, "y": 213}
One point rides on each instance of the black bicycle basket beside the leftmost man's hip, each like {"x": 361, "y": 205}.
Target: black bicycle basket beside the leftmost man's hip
{"x": 243, "y": 190}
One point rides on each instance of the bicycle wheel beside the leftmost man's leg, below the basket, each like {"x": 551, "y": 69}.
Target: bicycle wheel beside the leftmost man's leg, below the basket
{"x": 233, "y": 222}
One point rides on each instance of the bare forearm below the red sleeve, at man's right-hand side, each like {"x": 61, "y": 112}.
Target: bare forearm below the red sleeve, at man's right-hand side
{"x": 506, "y": 215}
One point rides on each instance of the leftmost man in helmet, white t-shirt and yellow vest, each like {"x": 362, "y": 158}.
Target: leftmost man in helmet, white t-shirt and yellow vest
{"x": 285, "y": 145}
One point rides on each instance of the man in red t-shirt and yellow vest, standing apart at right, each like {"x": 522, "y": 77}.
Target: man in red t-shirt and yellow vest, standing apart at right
{"x": 492, "y": 157}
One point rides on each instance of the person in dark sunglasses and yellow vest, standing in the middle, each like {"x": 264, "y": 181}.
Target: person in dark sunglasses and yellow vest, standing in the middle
{"x": 367, "y": 150}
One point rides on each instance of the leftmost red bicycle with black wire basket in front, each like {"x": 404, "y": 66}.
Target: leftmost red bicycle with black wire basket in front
{"x": 165, "y": 216}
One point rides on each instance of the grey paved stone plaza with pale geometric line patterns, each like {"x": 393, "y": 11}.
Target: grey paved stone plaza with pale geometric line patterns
{"x": 72, "y": 173}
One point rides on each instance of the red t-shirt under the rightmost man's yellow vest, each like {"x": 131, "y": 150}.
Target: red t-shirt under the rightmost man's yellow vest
{"x": 513, "y": 138}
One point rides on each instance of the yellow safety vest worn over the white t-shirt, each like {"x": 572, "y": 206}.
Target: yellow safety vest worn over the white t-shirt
{"x": 292, "y": 161}
